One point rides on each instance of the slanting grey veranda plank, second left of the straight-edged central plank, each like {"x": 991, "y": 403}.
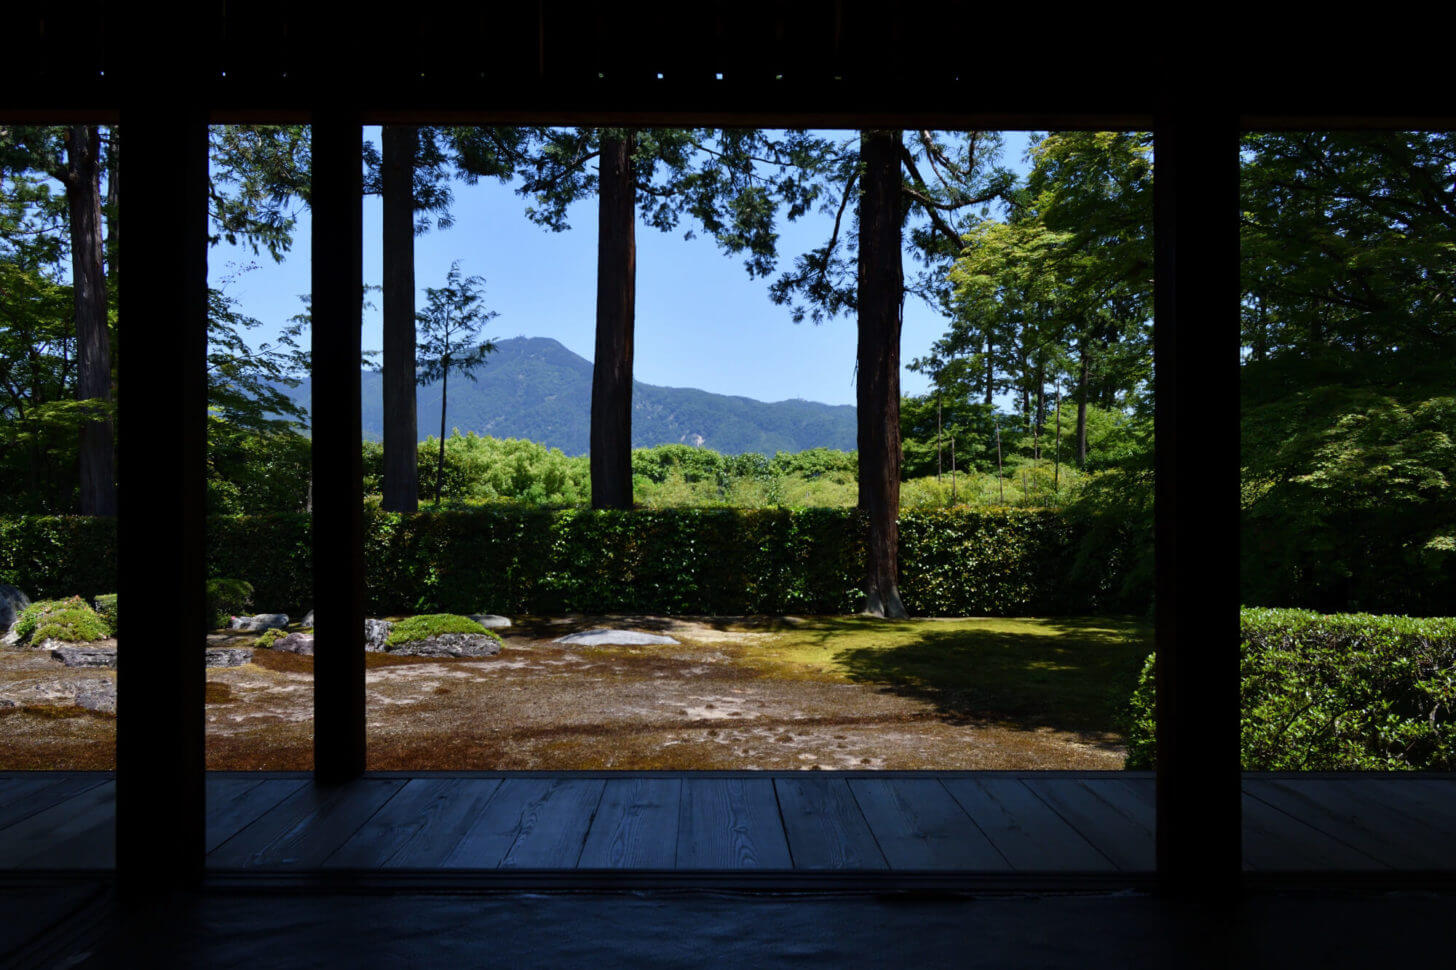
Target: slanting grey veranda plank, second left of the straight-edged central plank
{"x": 519, "y": 806}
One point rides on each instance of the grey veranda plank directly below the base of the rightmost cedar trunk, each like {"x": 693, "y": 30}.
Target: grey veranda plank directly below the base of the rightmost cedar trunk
{"x": 921, "y": 827}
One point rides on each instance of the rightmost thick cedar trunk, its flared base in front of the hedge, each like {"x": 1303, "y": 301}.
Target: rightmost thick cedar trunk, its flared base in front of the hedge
{"x": 882, "y": 304}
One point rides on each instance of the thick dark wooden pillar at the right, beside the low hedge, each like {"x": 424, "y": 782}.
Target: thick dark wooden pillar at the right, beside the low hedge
{"x": 1196, "y": 358}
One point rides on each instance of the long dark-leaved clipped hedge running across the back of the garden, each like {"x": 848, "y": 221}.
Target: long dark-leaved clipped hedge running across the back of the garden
{"x": 510, "y": 560}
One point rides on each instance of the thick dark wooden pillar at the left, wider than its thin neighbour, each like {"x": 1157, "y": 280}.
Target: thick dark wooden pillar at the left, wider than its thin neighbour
{"x": 161, "y": 497}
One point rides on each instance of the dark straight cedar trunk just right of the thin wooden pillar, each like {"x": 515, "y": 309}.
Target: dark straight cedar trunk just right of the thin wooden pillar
{"x": 401, "y": 427}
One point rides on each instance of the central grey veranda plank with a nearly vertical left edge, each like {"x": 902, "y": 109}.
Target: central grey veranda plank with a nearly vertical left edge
{"x": 730, "y": 824}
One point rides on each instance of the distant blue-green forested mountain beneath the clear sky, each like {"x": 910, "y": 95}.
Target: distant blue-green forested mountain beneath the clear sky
{"x": 535, "y": 388}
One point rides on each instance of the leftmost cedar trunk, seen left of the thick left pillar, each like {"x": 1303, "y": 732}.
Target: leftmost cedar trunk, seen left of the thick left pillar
{"x": 98, "y": 477}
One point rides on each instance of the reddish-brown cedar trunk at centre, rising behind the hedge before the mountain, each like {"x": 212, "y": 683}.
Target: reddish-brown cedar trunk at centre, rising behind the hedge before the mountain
{"x": 617, "y": 307}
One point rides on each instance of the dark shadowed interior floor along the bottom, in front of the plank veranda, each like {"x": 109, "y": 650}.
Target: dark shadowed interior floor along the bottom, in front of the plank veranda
{"x": 263, "y": 930}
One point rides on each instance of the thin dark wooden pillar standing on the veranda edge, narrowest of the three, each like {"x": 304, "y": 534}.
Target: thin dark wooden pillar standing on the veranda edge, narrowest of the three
{"x": 339, "y": 512}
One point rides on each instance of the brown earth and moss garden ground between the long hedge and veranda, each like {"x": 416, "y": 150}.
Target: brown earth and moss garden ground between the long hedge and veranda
{"x": 737, "y": 693}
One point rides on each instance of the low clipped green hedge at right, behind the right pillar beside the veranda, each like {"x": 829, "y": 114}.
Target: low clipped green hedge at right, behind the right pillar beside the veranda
{"x": 1340, "y": 693}
